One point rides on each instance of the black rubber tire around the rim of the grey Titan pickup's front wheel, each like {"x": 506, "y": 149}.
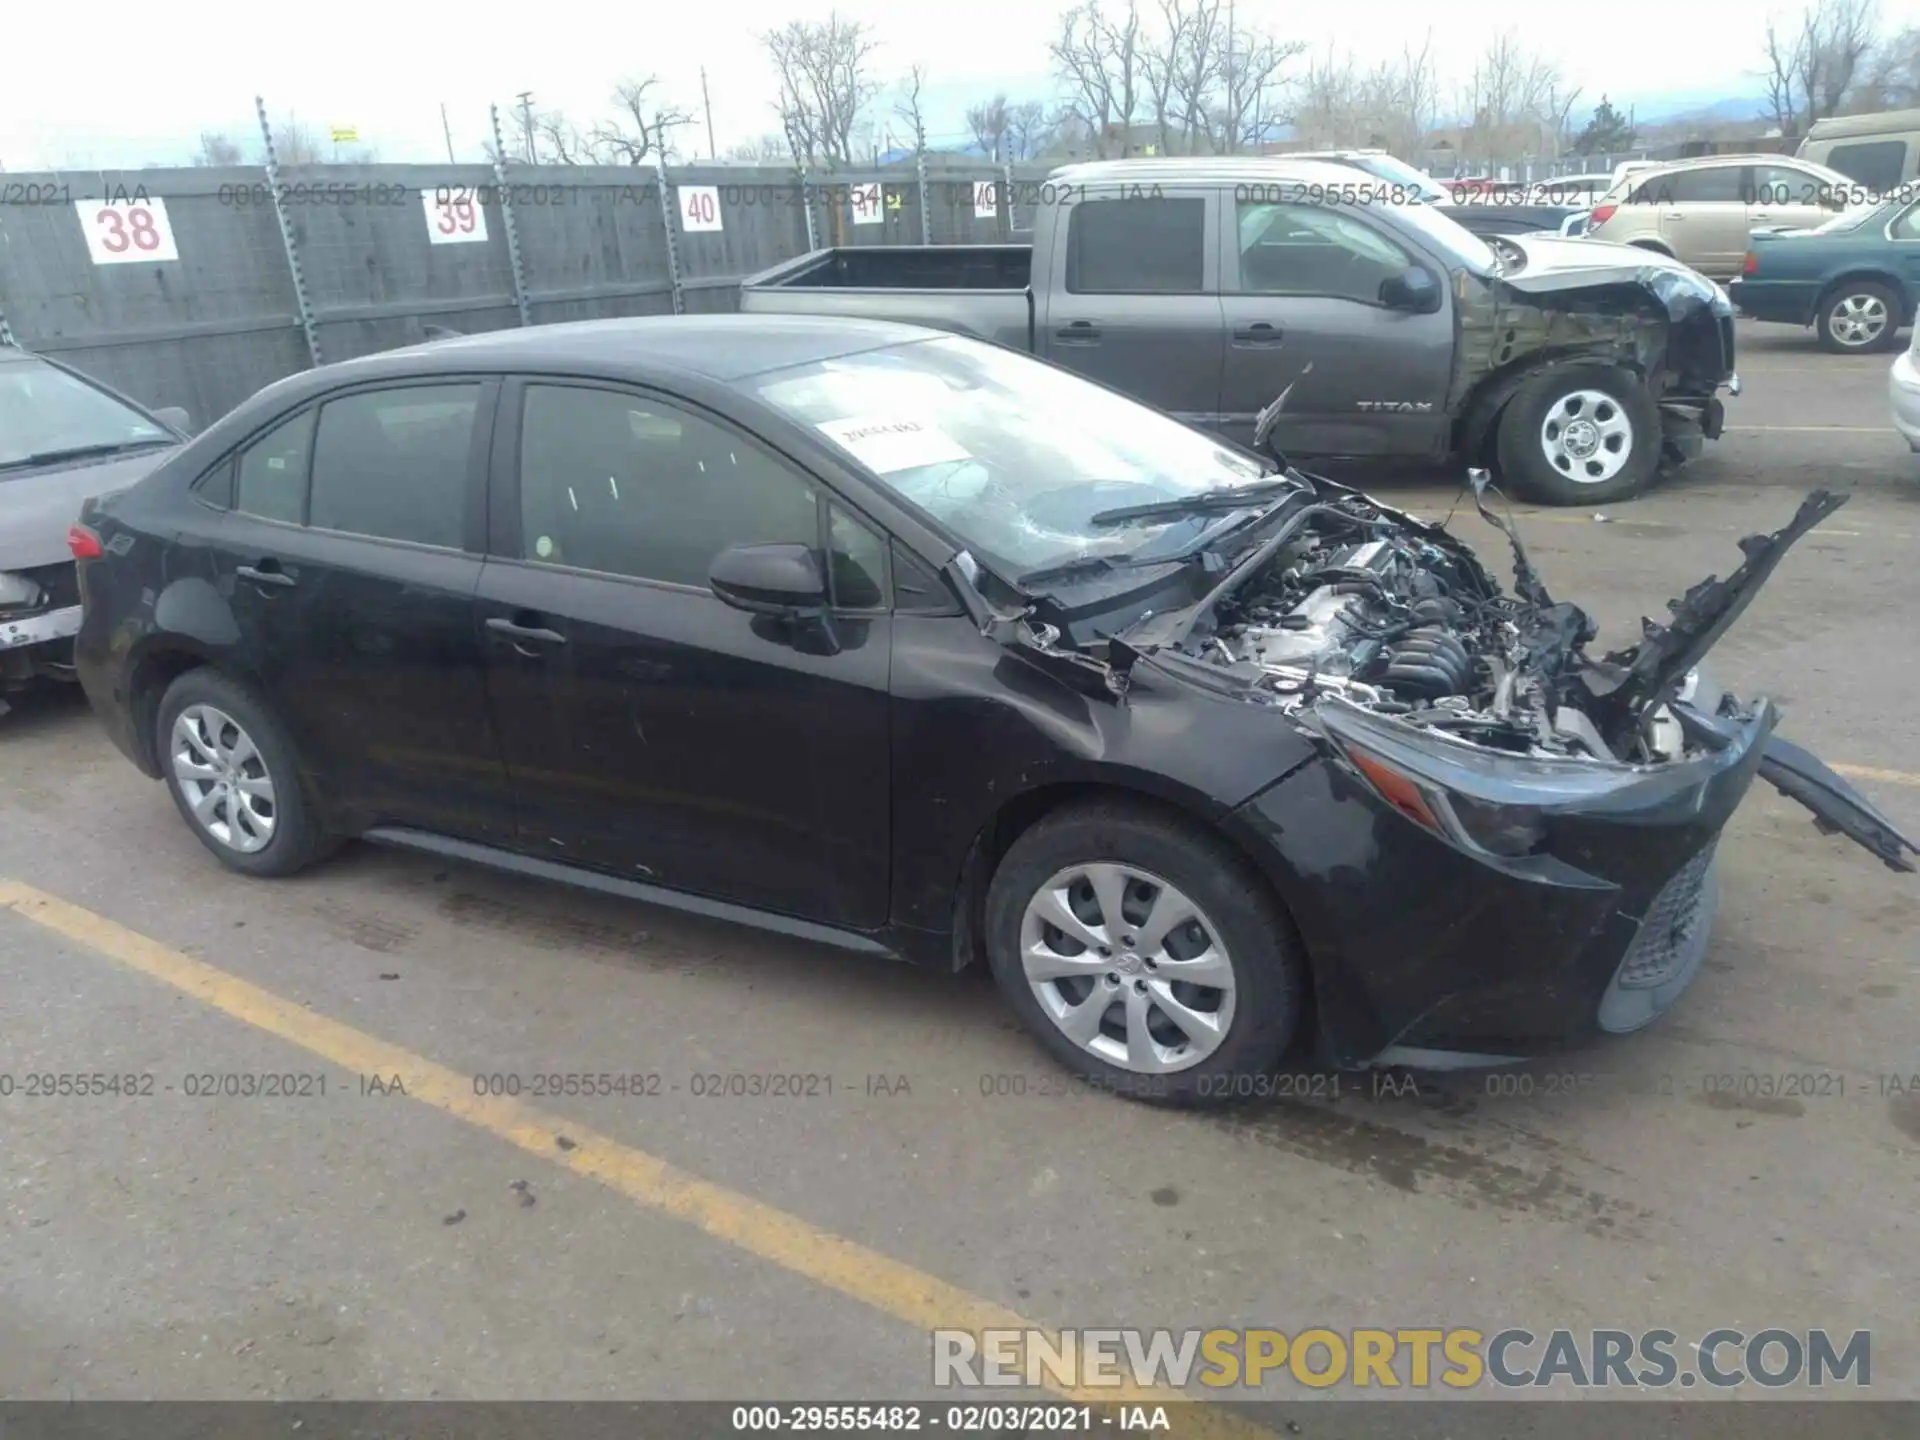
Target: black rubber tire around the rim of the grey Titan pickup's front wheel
{"x": 1524, "y": 460}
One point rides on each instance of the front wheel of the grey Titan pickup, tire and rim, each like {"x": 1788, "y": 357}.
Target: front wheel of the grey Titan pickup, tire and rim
{"x": 1579, "y": 435}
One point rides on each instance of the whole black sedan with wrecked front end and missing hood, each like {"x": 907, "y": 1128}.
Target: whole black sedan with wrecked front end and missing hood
{"x": 917, "y": 646}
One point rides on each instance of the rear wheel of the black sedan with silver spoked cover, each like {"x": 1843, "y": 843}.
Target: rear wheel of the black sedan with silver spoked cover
{"x": 231, "y": 773}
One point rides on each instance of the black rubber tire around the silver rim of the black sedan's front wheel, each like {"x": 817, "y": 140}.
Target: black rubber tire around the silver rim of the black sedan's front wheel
{"x": 1259, "y": 936}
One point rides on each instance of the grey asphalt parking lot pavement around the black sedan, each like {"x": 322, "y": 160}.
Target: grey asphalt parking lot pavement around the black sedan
{"x": 389, "y": 1228}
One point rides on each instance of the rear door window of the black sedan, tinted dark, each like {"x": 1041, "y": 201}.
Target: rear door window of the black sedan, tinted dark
{"x": 395, "y": 464}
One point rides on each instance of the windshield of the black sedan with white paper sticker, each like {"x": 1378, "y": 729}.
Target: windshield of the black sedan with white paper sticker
{"x": 1013, "y": 456}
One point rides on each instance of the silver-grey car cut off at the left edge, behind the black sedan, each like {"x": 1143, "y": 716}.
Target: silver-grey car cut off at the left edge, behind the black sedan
{"x": 64, "y": 439}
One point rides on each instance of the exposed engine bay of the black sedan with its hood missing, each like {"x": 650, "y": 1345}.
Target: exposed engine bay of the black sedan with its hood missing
{"x": 1403, "y": 619}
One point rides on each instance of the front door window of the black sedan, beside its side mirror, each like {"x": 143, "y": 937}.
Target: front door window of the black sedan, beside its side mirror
{"x": 633, "y": 487}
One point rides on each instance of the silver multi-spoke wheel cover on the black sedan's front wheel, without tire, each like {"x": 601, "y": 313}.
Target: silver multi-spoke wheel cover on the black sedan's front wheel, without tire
{"x": 1128, "y": 969}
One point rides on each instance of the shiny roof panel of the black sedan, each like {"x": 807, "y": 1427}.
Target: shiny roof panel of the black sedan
{"x": 715, "y": 347}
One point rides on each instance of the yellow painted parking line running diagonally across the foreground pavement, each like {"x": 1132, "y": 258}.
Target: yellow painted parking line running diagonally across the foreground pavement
{"x": 788, "y": 1241}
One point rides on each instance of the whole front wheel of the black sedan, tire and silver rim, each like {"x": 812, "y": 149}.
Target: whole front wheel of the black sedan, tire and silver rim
{"x": 1145, "y": 955}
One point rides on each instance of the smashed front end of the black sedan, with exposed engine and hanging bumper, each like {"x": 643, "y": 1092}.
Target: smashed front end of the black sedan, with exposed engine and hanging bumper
{"x": 1508, "y": 842}
